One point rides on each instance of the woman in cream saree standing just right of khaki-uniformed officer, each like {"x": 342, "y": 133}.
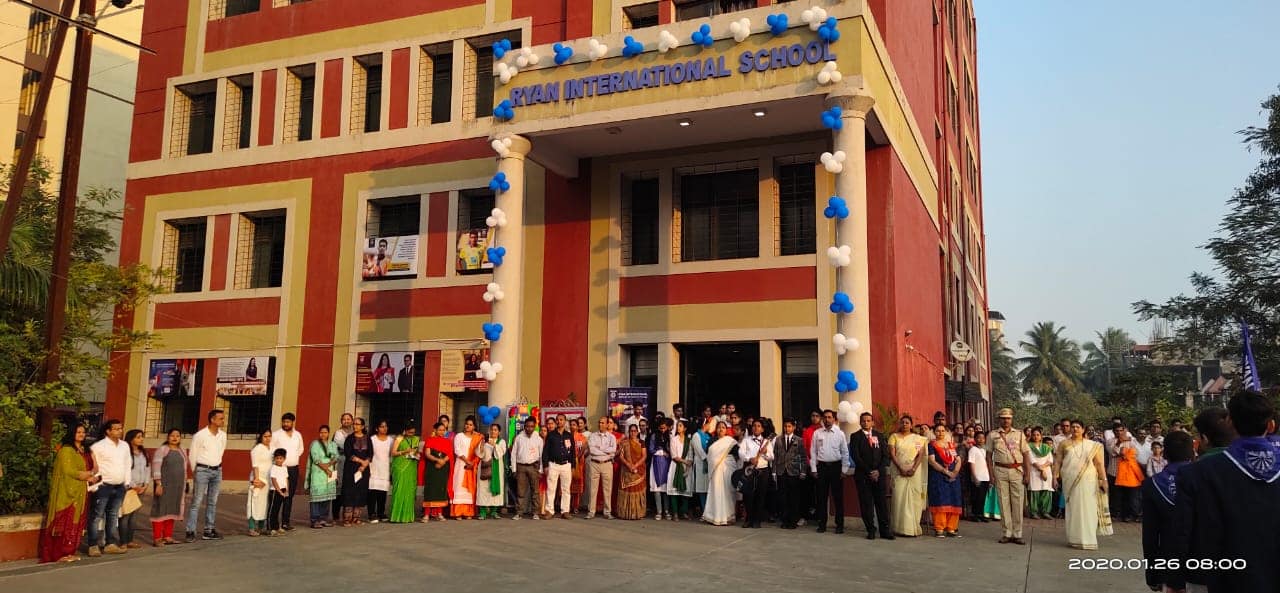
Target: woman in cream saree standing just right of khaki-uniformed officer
{"x": 1084, "y": 481}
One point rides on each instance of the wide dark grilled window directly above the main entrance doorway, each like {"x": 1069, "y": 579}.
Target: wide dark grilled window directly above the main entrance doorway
{"x": 719, "y": 215}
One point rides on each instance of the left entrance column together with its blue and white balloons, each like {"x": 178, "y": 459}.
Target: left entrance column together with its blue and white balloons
{"x": 508, "y": 254}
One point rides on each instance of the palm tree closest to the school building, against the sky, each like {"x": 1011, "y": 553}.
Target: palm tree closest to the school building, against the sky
{"x": 1053, "y": 364}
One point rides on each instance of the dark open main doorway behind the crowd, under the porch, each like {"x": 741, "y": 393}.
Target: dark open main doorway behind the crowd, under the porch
{"x": 723, "y": 373}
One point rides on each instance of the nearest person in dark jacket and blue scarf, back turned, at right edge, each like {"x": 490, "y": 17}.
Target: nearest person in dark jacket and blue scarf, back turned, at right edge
{"x": 1227, "y": 509}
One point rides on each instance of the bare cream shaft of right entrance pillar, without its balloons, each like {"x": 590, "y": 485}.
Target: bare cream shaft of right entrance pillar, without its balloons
{"x": 852, "y": 231}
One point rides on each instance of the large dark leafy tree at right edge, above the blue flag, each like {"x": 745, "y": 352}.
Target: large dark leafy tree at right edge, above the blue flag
{"x": 1246, "y": 281}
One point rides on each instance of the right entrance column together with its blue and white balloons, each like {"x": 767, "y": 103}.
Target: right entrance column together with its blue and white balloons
{"x": 848, "y": 117}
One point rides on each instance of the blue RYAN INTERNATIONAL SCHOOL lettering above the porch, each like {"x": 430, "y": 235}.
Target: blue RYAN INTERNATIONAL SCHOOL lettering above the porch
{"x": 678, "y": 74}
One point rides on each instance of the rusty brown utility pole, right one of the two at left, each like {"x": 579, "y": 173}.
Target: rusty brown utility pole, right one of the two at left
{"x": 65, "y": 232}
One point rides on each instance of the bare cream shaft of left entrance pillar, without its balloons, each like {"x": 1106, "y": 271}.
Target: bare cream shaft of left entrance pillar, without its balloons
{"x": 505, "y": 390}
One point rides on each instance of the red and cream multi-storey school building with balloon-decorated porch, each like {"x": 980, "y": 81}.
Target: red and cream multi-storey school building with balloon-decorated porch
{"x": 417, "y": 211}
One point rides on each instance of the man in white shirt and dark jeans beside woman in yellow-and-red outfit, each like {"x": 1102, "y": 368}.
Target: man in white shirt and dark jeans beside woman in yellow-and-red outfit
{"x": 113, "y": 460}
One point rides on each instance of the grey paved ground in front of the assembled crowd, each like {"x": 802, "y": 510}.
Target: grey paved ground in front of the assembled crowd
{"x": 591, "y": 556}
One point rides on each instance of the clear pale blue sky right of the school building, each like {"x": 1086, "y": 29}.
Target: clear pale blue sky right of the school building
{"x": 1109, "y": 149}
